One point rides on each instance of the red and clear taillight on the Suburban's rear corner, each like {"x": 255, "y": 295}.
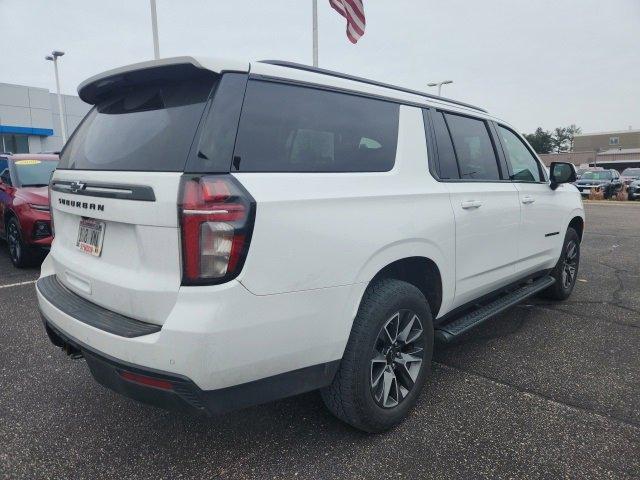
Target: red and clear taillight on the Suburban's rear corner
{"x": 216, "y": 218}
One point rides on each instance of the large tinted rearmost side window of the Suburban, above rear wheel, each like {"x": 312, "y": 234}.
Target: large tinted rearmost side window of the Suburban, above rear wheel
{"x": 286, "y": 128}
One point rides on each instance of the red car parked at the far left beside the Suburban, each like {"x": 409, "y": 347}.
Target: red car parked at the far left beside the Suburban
{"x": 25, "y": 221}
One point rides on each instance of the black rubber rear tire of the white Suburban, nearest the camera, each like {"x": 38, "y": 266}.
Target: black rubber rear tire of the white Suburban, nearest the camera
{"x": 352, "y": 395}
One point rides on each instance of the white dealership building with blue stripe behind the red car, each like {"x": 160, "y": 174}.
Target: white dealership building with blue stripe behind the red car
{"x": 30, "y": 119}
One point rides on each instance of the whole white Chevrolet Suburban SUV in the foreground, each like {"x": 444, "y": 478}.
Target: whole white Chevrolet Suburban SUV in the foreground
{"x": 228, "y": 234}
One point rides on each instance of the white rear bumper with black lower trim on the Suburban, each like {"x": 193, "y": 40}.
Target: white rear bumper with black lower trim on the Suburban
{"x": 220, "y": 344}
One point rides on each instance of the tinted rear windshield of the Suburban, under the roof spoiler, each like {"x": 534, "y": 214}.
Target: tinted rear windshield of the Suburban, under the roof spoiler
{"x": 148, "y": 127}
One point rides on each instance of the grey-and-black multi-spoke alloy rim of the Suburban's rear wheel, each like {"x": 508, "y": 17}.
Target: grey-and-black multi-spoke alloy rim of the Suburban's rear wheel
{"x": 397, "y": 358}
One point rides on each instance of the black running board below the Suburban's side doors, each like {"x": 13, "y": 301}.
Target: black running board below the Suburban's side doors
{"x": 456, "y": 327}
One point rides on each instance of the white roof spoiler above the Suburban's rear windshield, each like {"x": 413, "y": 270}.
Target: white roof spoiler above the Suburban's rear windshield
{"x": 99, "y": 86}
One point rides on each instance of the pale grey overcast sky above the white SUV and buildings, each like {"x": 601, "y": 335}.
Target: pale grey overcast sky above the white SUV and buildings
{"x": 532, "y": 62}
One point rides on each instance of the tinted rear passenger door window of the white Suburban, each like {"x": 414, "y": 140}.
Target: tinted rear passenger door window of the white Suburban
{"x": 476, "y": 157}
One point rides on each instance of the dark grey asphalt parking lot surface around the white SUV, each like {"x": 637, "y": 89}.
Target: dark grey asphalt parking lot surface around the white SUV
{"x": 545, "y": 390}
